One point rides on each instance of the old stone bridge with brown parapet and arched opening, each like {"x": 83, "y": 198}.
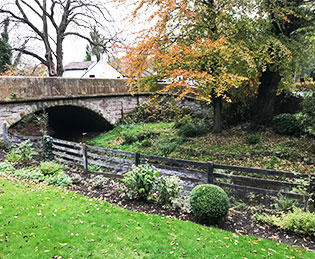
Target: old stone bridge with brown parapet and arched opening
{"x": 102, "y": 99}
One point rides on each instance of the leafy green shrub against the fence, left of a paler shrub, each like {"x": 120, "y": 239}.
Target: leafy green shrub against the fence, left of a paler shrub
{"x": 140, "y": 181}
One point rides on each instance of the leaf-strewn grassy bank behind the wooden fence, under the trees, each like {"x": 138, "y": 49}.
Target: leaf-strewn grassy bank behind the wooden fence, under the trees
{"x": 229, "y": 147}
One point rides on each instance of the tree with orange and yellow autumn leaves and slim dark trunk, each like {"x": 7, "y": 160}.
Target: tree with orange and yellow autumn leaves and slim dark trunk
{"x": 189, "y": 47}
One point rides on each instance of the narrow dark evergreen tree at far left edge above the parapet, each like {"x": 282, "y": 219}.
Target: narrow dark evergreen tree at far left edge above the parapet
{"x": 5, "y": 48}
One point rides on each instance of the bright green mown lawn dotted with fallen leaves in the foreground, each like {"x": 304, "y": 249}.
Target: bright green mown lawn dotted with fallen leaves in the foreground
{"x": 37, "y": 221}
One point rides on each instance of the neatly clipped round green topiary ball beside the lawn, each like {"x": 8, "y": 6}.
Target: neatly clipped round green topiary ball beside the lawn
{"x": 209, "y": 201}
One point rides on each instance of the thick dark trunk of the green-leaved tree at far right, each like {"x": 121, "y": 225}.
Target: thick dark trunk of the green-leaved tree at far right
{"x": 267, "y": 95}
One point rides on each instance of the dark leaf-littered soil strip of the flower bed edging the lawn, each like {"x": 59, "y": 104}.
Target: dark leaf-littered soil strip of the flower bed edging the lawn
{"x": 239, "y": 222}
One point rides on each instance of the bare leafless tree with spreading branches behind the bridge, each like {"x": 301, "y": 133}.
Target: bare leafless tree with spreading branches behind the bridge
{"x": 51, "y": 21}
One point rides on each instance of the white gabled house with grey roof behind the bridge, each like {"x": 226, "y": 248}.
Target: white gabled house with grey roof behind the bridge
{"x": 91, "y": 69}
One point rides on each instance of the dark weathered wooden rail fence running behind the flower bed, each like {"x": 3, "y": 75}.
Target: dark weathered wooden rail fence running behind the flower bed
{"x": 81, "y": 155}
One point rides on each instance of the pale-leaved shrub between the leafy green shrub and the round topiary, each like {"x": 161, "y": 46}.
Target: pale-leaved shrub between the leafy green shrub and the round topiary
{"x": 169, "y": 190}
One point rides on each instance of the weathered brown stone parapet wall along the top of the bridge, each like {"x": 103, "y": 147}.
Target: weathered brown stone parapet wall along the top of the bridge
{"x": 13, "y": 88}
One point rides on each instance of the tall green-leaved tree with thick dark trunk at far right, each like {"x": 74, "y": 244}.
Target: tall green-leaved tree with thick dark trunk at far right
{"x": 282, "y": 30}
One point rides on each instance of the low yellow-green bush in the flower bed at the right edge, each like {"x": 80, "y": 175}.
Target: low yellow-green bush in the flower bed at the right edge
{"x": 297, "y": 221}
